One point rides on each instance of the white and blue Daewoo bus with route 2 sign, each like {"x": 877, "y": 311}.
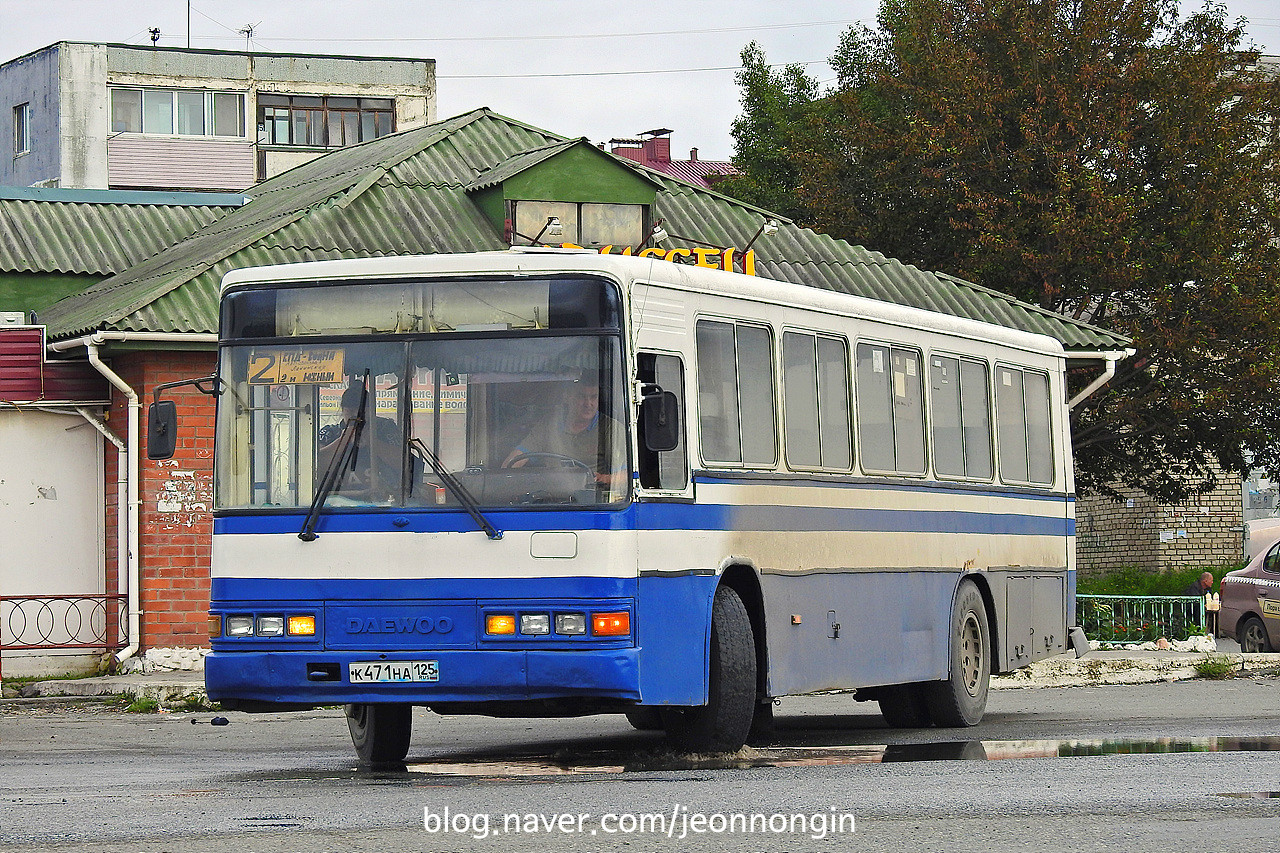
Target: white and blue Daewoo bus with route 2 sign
{"x": 556, "y": 483}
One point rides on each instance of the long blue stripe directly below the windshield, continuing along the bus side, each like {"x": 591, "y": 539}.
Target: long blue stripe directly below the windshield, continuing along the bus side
{"x": 668, "y": 517}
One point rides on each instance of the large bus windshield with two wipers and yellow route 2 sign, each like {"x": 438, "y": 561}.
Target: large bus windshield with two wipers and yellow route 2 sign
{"x": 516, "y": 419}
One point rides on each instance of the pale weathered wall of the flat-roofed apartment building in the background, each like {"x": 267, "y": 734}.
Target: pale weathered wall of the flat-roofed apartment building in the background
{"x": 70, "y": 86}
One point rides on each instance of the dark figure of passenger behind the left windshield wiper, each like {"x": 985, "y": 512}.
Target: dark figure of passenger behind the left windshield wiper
{"x": 381, "y": 441}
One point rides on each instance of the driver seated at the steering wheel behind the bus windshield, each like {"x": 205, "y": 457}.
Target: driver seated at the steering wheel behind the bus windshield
{"x": 578, "y": 432}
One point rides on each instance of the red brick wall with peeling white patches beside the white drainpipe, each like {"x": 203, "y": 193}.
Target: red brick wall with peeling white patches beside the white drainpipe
{"x": 177, "y": 500}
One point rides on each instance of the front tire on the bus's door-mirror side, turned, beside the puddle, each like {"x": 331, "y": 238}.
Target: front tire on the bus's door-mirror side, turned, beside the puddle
{"x": 725, "y": 723}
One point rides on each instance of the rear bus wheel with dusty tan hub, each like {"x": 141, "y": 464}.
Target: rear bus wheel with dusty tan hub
{"x": 961, "y": 700}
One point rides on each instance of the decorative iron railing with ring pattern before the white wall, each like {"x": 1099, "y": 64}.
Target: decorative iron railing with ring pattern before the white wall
{"x": 63, "y": 623}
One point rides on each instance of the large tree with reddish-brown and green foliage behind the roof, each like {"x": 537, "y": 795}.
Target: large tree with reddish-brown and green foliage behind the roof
{"x": 1107, "y": 159}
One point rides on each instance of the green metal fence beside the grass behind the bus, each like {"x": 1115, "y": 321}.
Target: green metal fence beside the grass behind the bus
{"x": 1136, "y": 619}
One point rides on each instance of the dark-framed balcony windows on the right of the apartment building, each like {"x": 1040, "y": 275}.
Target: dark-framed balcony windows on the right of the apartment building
{"x": 322, "y": 122}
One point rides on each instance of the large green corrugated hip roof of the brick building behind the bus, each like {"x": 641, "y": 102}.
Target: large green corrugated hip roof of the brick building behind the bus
{"x": 406, "y": 194}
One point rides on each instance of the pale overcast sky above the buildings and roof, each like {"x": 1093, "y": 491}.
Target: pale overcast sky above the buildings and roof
{"x": 574, "y": 67}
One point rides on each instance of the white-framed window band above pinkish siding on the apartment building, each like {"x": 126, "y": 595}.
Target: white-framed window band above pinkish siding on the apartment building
{"x": 184, "y": 112}
